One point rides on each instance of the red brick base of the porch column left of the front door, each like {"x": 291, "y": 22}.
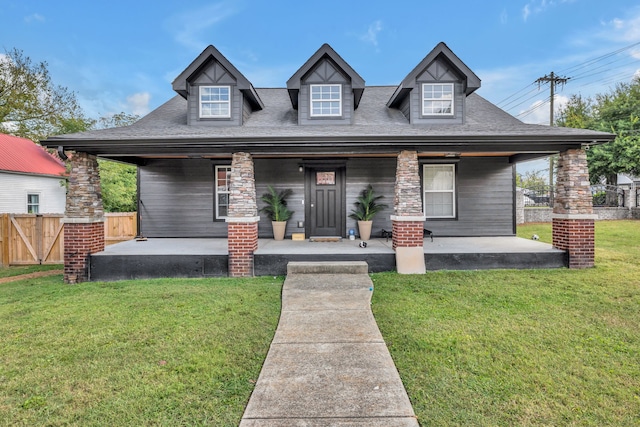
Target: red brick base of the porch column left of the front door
{"x": 242, "y": 238}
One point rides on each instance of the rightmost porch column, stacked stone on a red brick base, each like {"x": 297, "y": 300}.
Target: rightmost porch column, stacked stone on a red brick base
{"x": 573, "y": 218}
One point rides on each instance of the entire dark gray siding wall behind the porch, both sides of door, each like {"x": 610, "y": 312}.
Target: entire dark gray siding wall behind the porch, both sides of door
{"x": 177, "y": 196}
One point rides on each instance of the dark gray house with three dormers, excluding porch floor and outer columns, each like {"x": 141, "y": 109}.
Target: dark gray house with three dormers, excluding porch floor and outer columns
{"x": 326, "y": 136}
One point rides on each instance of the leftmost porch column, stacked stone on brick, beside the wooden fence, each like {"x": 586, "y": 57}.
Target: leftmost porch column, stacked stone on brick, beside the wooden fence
{"x": 84, "y": 218}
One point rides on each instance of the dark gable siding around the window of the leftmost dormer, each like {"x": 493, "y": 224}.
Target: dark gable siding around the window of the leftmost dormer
{"x": 214, "y": 75}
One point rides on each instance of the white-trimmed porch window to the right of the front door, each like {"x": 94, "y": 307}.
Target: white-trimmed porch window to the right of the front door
{"x": 439, "y": 186}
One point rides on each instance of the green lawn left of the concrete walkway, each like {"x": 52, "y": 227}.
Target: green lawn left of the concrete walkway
{"x": 133, "y": 353}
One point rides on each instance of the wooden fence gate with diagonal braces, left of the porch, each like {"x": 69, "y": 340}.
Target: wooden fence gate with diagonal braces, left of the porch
{"x": 33, "y": 239}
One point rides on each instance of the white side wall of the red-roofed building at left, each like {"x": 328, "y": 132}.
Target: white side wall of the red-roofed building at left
{"x": 14, "y": 188}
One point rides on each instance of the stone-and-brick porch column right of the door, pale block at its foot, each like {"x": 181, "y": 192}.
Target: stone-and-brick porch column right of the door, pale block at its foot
{"x": 408, "y": 221}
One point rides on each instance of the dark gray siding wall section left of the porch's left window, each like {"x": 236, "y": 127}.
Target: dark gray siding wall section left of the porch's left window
{"x": 177, "y": 199}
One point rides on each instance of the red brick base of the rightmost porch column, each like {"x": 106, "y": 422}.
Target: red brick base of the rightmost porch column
{"x": 576, "y": 235}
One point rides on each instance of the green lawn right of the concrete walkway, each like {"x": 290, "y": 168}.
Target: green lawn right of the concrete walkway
{"x": 534, "y": 347}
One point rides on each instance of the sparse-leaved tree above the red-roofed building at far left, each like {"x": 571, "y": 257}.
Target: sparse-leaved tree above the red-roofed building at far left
{"x": 31, "y": 106}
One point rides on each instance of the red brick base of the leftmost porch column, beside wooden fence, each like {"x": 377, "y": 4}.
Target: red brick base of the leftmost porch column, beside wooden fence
{"x": 81, "y": 239}
